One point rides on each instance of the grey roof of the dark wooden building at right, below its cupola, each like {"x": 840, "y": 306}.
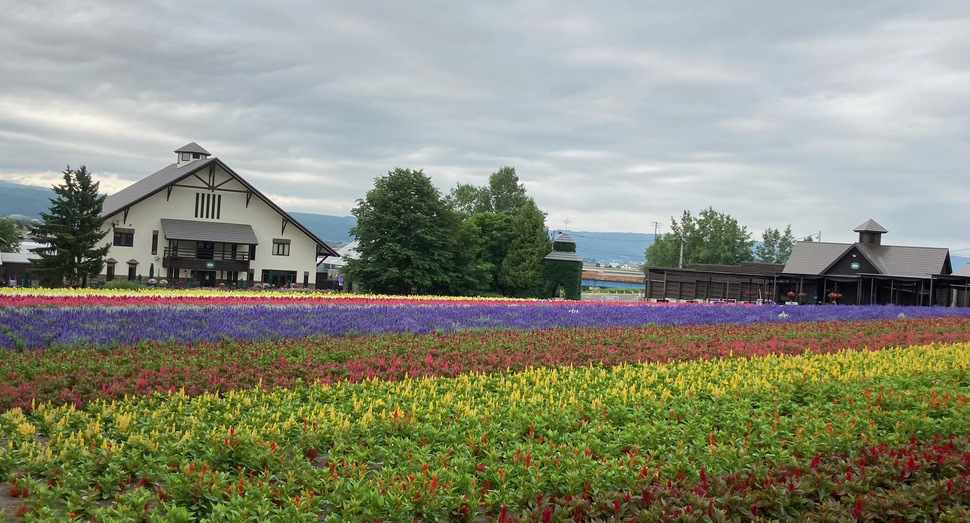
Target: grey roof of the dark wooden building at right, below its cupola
{"x": 816, "y": 258}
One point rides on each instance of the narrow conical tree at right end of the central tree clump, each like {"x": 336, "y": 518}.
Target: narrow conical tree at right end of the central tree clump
{"x": 521, "y": 274}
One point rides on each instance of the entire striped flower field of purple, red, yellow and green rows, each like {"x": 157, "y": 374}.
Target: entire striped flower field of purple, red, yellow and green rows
{"x": 129, "y": 408}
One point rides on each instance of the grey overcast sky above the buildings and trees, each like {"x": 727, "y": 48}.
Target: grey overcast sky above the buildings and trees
{"x": 615, "y": 115}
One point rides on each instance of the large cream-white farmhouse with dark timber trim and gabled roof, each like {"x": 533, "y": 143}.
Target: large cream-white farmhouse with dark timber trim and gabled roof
{"x": 198, "y": 221}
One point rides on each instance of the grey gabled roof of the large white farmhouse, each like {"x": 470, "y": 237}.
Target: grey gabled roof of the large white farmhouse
{"x": 171, "y": 174}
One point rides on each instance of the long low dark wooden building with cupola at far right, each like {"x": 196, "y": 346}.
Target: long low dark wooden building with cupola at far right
{"x": 864, "y": 272}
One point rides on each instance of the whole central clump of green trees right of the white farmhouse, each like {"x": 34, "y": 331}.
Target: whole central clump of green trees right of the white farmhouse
{"x": 475, "y": 241}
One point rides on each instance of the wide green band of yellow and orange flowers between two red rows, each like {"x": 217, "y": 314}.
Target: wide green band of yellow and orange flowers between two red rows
{"x": 488, "y": 438}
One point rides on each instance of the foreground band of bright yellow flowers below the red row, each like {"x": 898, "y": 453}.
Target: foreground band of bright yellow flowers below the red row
{"x": 273, "y": 414}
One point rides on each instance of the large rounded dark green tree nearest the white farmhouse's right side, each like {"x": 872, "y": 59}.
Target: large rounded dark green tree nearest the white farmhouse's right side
{"x": 408, "y": 238}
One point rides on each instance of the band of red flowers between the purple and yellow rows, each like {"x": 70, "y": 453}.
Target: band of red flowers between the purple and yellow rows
{"x": 82, "y": 375}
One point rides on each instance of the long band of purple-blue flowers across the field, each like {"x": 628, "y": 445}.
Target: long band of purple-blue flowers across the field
{"x": 37, "y": 327}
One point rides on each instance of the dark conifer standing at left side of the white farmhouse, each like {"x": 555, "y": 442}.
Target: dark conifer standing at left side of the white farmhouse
{"x": 71, "y": 231}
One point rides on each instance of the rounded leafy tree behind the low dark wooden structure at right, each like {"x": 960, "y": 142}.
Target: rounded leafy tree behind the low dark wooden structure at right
{"x": 712, "y": 237}
